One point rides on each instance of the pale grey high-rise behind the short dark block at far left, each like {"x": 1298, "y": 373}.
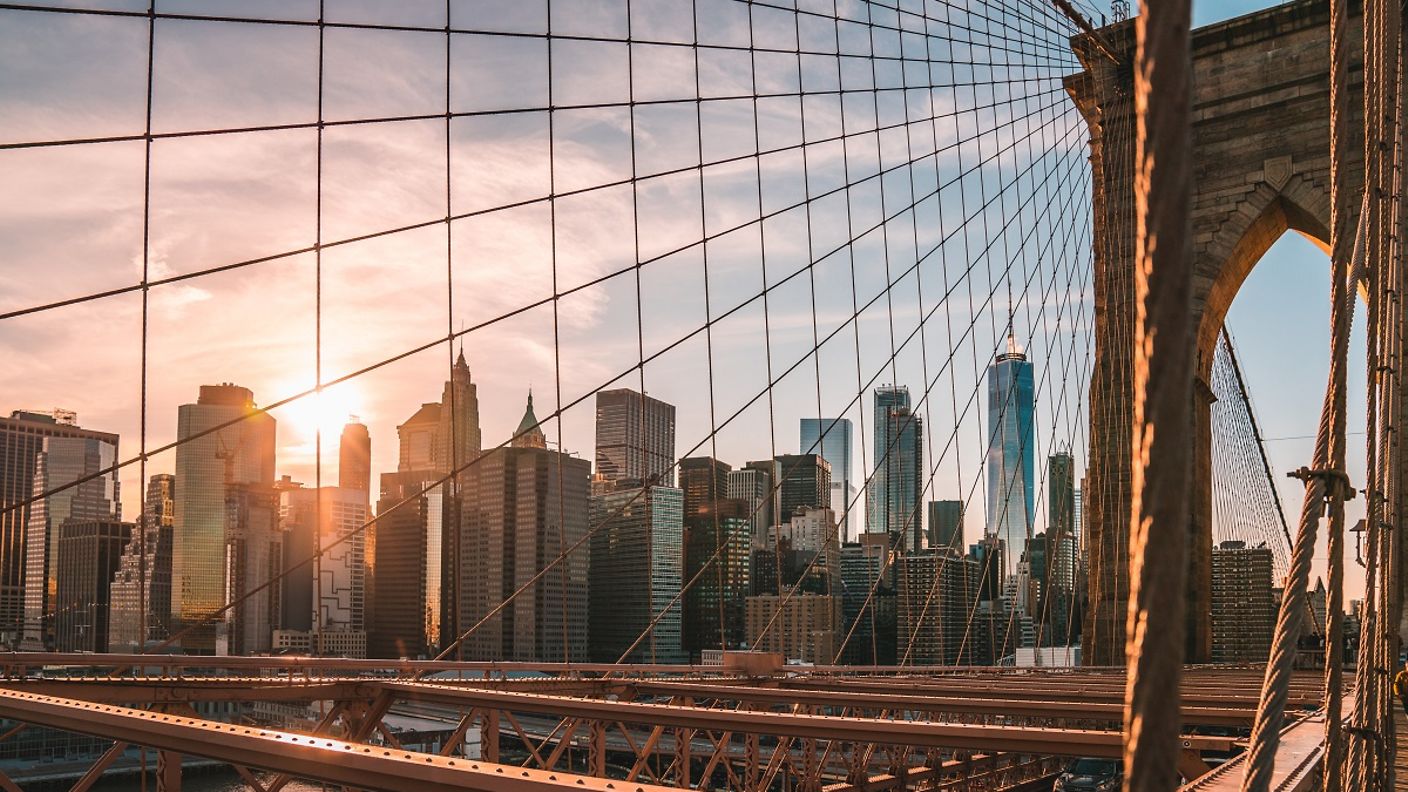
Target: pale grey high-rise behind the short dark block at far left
{"x": 63, "y": 459}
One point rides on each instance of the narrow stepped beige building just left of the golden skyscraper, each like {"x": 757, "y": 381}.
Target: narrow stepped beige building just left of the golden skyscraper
{"x": 144, "y": 573}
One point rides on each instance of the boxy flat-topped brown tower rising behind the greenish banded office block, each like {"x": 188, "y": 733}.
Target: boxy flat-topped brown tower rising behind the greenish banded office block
{"x": 636, "y": 438}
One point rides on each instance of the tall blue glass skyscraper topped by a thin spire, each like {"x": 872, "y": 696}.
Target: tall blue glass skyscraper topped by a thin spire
{"x": 1012, "y": 452}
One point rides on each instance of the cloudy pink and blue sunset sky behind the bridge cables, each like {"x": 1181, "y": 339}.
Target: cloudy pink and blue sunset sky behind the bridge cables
{"x": 71, "y": 223}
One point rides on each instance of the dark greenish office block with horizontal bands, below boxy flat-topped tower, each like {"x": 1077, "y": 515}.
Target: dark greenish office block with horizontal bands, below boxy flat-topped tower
{"x": 637, "y": 571}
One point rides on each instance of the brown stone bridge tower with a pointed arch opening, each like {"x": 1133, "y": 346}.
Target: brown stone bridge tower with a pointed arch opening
{"x": 1262, "y": 164}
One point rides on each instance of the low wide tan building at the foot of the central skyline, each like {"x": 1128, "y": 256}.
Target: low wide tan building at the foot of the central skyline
{"x": 803, "y": 626}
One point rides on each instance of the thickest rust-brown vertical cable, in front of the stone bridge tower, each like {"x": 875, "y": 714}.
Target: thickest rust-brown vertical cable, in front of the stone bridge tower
{"x": 1162, "y": 395}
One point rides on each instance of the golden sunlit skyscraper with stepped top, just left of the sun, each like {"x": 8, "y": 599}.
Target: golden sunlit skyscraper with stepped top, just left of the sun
{"x": 209, "y": 469}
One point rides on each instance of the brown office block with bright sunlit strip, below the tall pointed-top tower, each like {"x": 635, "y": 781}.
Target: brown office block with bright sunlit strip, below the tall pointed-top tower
{"x": 405, "y": 566}
